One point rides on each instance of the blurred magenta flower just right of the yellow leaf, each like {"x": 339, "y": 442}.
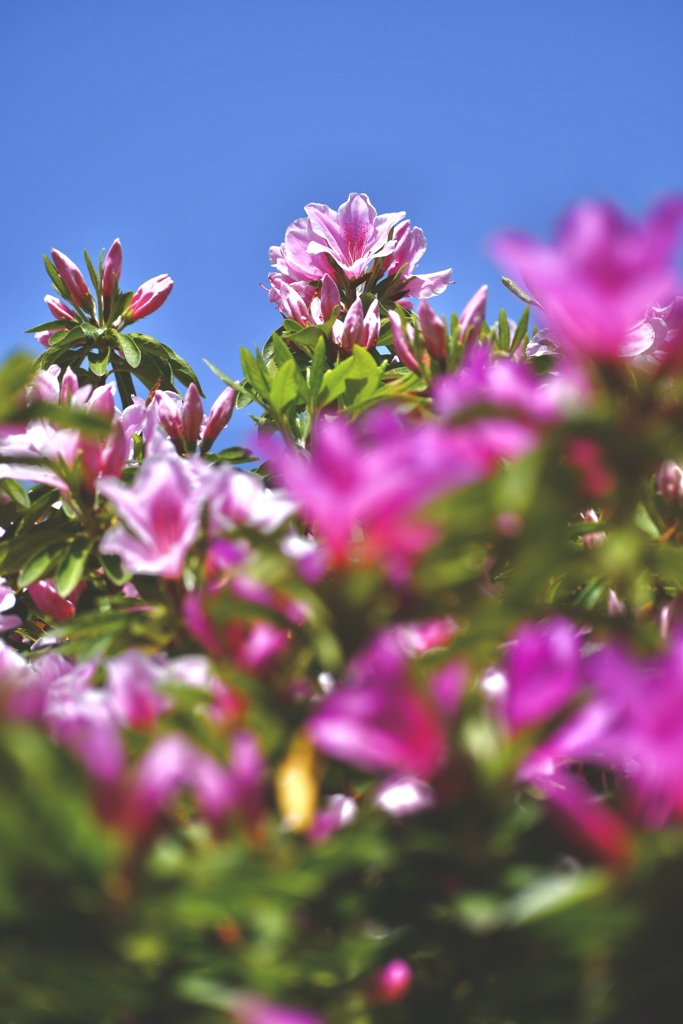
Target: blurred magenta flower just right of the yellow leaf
{"x": 376, "y": 720}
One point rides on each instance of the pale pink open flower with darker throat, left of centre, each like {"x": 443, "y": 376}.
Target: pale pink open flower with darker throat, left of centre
{"x": 160, "y": 518}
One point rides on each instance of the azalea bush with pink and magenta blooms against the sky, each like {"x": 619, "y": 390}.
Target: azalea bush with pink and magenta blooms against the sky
{"x": 380, "y": 717}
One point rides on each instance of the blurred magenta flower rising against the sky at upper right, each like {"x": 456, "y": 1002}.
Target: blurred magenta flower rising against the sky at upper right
{"x": 602, "y": 276}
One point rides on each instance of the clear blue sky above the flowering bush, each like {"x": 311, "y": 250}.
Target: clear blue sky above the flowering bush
{"x": 196, "y": 133}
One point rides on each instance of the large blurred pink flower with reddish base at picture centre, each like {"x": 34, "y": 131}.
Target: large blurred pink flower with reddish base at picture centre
{"x": 378, "y": 476}
